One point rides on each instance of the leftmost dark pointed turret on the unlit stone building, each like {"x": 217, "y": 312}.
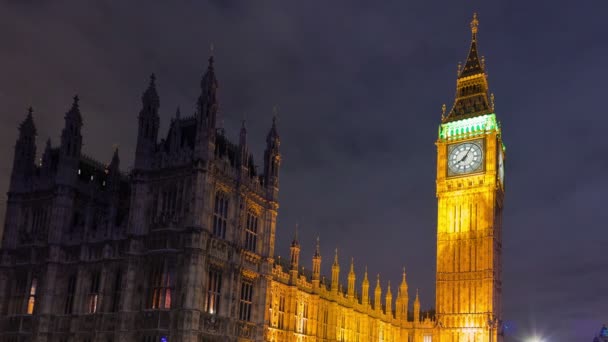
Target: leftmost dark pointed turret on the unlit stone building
{"x": 25, "y": 154}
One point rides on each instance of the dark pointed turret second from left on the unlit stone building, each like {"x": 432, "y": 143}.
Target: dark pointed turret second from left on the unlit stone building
{"x": 71, "y": 145}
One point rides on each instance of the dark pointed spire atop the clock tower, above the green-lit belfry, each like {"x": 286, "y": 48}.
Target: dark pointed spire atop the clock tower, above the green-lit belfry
{"x": 472, "y": 91}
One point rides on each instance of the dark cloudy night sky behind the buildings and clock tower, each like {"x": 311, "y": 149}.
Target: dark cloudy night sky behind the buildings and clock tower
{"x": 359, "y": 86}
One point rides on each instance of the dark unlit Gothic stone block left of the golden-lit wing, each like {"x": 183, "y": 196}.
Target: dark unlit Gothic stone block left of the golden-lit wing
{"x": 179, "y": 249}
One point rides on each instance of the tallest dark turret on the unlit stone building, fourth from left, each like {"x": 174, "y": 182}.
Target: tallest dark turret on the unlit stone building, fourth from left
{"x": 206, "y": 114}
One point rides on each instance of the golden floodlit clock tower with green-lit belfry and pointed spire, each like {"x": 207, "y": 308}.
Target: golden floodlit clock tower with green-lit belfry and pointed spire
{"x": 470, "y": 193}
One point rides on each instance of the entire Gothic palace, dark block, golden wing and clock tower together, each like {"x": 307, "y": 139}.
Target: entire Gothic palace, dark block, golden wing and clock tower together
{"x": 182, "y": 247}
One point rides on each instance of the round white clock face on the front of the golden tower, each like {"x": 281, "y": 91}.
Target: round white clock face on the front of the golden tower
{"x": 465, "y": 157}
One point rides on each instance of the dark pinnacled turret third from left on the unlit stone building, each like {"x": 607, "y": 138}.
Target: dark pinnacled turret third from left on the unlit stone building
{"x": 147, "y": 131}
